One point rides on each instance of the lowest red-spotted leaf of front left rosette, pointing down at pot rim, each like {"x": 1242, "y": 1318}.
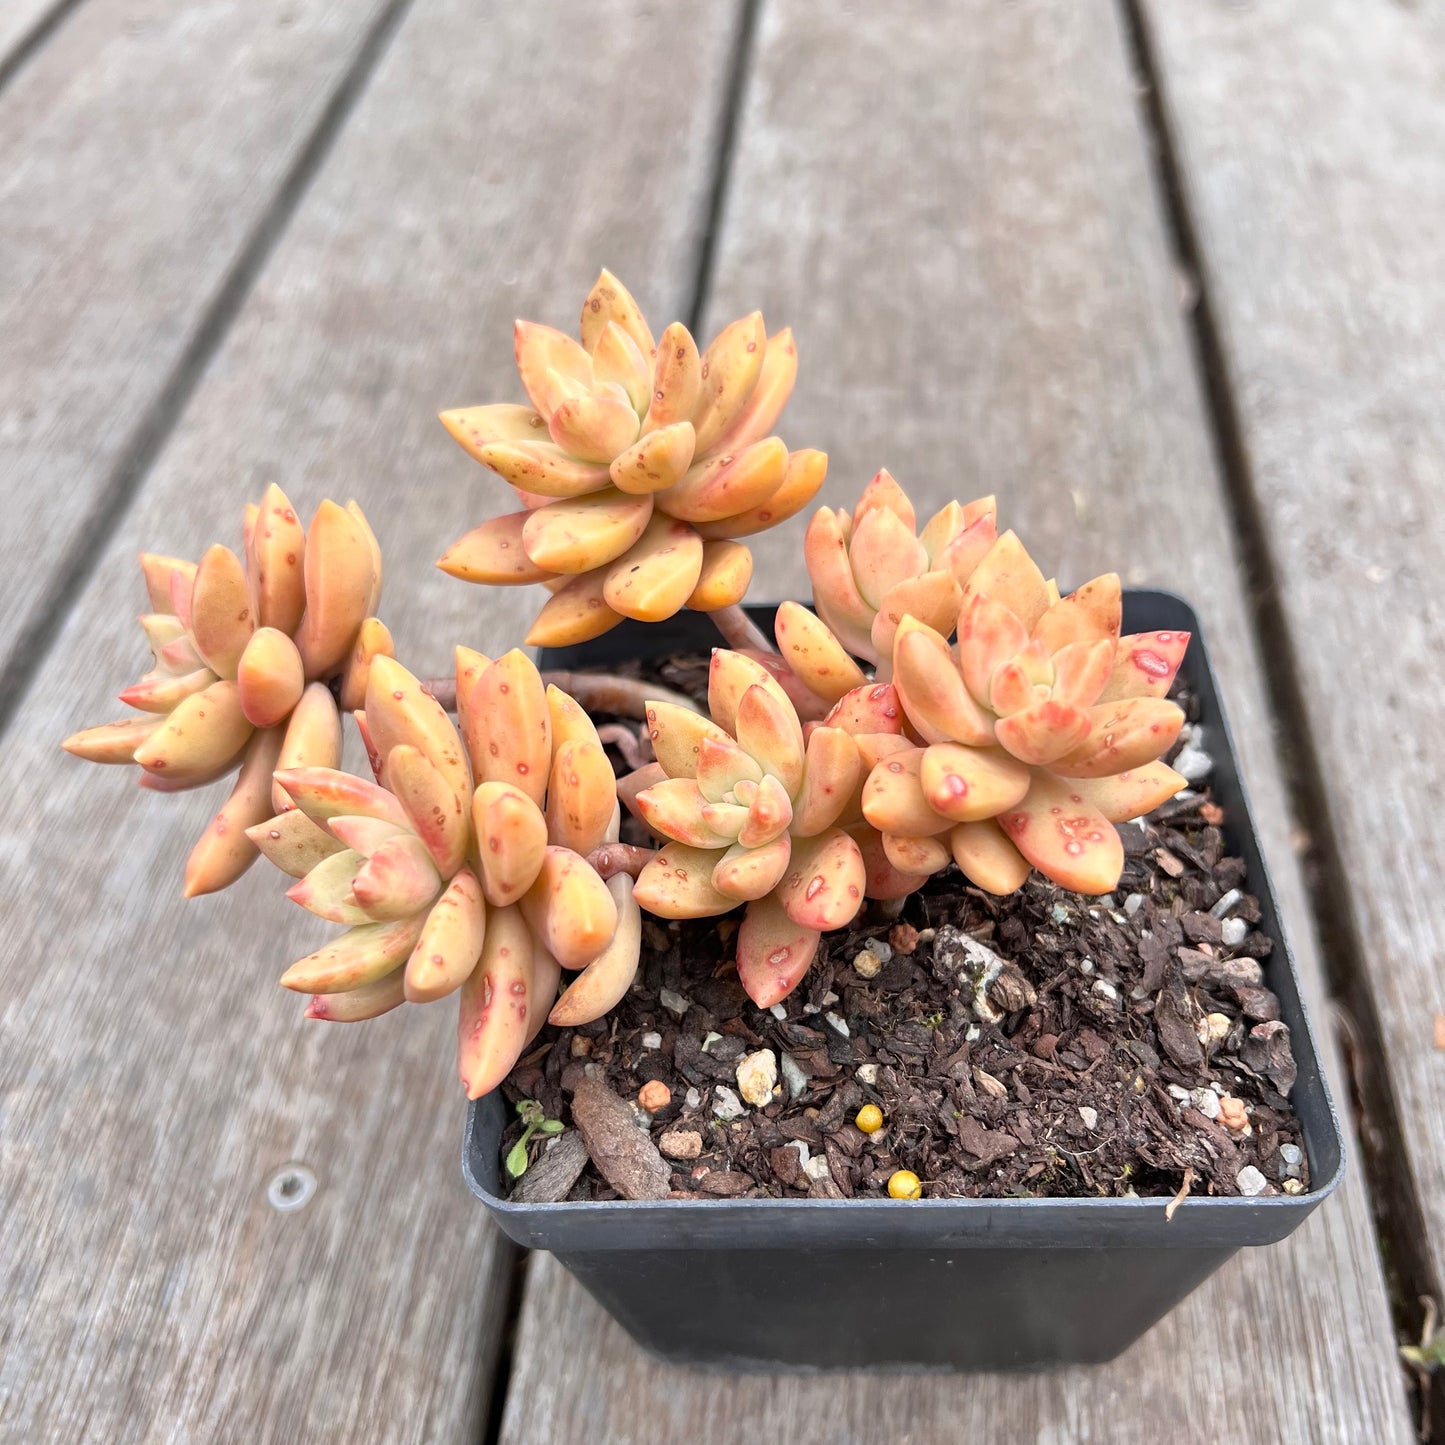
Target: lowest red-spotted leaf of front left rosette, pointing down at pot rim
{"x": 492, "y": 1027}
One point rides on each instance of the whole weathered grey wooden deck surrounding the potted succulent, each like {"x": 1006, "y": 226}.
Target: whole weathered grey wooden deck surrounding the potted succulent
{"x": 1170, "y": 278}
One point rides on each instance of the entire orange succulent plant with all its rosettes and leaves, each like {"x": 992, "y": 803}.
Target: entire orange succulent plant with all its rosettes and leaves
{"x": 866, "y": 754}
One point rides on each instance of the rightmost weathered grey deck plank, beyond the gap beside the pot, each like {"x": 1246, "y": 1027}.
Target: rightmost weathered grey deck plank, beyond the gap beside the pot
{"x": 1323, "y": 243}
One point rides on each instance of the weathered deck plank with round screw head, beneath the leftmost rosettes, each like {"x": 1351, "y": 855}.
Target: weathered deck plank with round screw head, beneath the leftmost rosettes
{"x": 152, "y": 1074}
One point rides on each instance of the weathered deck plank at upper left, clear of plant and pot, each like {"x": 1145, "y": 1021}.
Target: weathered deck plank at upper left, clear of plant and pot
{"x": 144, "y": 145}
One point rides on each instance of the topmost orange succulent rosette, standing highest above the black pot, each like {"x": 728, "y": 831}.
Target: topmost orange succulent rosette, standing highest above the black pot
{"x": 639, "y": 465}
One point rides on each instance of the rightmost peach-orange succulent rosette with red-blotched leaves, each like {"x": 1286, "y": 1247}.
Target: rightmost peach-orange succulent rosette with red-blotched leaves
{"x": 1038, "y": 733}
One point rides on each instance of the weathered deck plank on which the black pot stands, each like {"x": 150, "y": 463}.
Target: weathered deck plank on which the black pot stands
{"x": 982, "y": 290}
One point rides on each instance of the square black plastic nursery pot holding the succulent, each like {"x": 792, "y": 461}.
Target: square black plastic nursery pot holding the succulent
{"x": 934, "y": 1284}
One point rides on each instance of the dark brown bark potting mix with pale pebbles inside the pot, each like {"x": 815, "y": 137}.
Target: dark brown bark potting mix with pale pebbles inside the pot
{"x": 1041, "y": 1045}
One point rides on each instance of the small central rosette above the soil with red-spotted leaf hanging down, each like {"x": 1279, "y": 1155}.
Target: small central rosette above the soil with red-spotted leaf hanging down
{"x": 751, "y": 814}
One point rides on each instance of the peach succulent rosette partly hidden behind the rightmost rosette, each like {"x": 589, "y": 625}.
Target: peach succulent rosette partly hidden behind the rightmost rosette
{"x": 869, "y": 571}
